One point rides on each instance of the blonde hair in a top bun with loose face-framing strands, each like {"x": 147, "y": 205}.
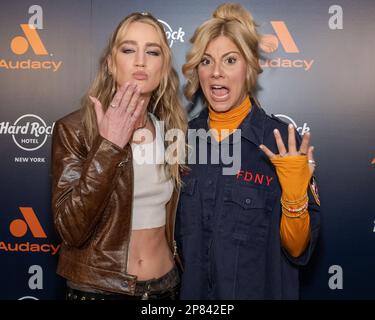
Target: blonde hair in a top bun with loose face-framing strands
{"x": 234, "y": 22}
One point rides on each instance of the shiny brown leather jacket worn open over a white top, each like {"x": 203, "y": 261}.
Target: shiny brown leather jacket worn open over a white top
{"x": 92, "y": 192}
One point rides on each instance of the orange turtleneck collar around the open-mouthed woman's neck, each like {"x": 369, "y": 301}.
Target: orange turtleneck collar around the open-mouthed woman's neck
{"x": 228, "y": 121}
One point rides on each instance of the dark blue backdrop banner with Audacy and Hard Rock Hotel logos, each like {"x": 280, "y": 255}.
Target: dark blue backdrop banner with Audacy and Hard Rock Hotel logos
{"x": 319, "y": 74}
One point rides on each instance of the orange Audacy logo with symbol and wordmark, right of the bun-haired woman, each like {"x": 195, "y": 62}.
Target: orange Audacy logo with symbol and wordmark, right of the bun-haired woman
{"x": 269, "y": 43}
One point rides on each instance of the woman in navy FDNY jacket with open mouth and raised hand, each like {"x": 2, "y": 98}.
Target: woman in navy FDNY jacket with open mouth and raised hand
{"x": 241, "y": 234}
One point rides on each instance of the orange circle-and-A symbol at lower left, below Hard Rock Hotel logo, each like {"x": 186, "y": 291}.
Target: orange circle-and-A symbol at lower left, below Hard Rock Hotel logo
{"x": 18, "y": 227}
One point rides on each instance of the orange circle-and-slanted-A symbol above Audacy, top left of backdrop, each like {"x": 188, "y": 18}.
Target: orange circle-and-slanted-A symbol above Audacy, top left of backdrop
{"x": 20, "y": 45}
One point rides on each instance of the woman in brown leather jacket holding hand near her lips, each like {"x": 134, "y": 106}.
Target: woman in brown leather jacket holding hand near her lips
{"x": 114, "y": 211}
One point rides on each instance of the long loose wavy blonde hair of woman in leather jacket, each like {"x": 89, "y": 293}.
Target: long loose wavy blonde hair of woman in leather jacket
{"x": 165, "y": 101}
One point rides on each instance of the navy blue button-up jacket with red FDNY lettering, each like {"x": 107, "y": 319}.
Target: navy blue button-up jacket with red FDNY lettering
{"x": 228, "y": 226}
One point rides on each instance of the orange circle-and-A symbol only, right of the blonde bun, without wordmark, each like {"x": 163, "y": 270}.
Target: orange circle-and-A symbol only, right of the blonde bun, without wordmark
{"x": 269, "y": 42}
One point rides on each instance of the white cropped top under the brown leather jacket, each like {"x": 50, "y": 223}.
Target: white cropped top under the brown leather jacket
{"x": 152, "y": 189}
